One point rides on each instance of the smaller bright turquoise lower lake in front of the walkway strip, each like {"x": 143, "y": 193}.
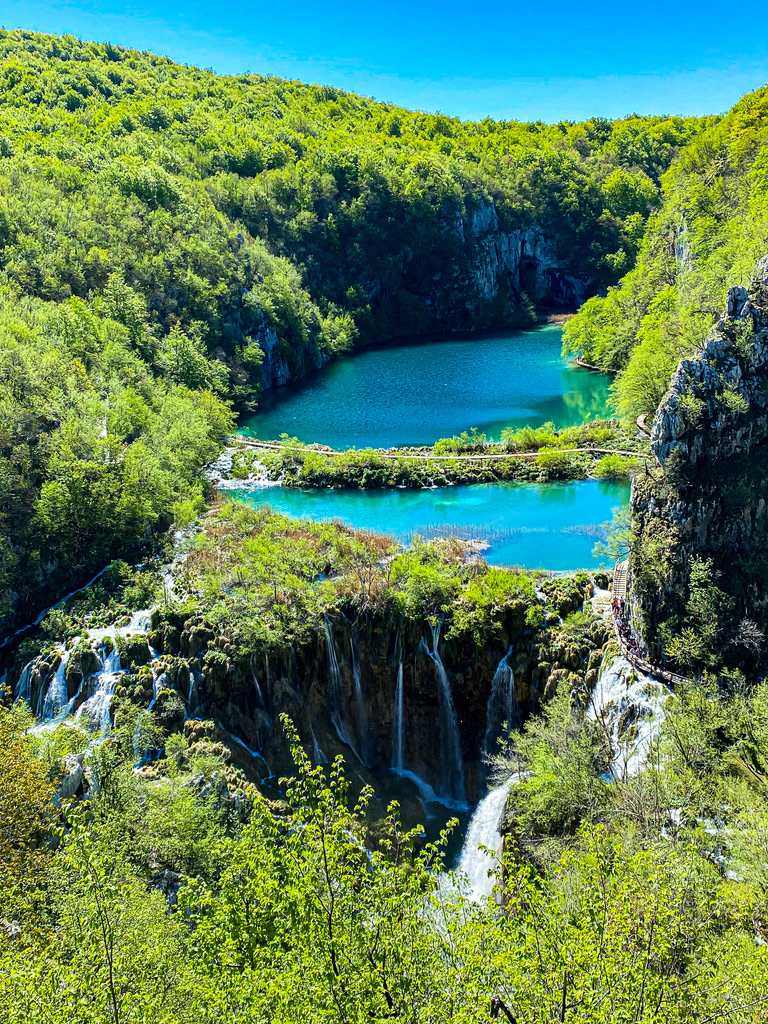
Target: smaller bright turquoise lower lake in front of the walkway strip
{"x": 547, "y": 526}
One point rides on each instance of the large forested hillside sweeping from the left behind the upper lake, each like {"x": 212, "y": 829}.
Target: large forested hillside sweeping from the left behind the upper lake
{"x": 172, "y": 240}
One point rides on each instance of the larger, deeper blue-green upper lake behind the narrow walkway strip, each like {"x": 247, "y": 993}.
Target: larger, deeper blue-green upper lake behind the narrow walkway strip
{"x": 417, "y": 393}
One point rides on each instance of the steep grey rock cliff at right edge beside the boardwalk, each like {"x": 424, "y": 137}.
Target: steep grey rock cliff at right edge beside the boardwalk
{"x": 706, "y": 497}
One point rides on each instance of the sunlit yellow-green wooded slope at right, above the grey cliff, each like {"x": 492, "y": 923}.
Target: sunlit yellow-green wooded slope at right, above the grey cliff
{"x": 711, "y": 231}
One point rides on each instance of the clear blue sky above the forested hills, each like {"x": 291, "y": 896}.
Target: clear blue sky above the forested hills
{"x": 530, "y": 61}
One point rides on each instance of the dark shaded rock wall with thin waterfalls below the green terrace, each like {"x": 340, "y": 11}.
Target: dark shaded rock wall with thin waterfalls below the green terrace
{"x": 369, "y": 689}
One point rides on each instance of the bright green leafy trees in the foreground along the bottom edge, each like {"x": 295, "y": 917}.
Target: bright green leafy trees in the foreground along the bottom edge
{"x": 292, "y": 918}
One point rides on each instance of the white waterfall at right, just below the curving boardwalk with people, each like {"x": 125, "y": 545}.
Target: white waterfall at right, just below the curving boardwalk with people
{"x": 630, "y": 706}
